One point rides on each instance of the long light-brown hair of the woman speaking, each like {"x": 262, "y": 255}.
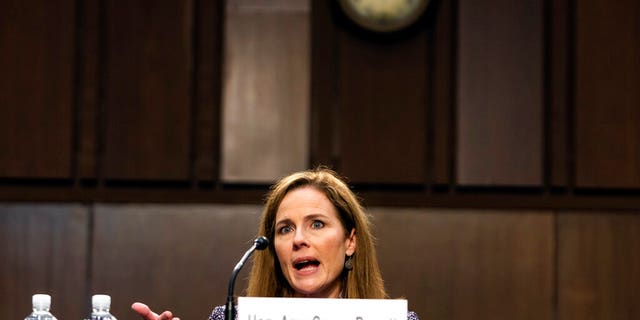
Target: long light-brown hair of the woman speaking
{"x": 364, "y": 281}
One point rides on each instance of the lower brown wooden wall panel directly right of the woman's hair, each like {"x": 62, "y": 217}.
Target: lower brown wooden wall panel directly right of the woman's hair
{"x": 463, "y": 264}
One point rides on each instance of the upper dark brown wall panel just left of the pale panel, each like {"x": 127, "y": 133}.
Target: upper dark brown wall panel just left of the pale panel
{"x": 147, "y": 105}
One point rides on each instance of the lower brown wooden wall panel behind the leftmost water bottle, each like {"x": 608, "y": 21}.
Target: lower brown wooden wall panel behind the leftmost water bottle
{"x": 44, "y": 250}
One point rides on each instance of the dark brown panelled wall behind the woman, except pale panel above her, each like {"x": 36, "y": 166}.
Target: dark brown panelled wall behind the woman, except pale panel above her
{"x": 496, "y": 144}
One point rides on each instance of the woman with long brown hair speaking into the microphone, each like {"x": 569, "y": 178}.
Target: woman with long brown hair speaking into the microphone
{"x": 320, "y": 245}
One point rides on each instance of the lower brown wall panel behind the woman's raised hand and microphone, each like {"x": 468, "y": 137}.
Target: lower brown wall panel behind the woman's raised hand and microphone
{"x": 171, "y": 257}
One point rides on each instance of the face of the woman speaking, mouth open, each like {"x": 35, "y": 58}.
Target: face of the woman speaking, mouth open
{"x": 310, "y": 243}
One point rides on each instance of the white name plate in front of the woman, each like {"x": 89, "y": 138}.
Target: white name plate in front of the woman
{"x": 251, "y": 308}
